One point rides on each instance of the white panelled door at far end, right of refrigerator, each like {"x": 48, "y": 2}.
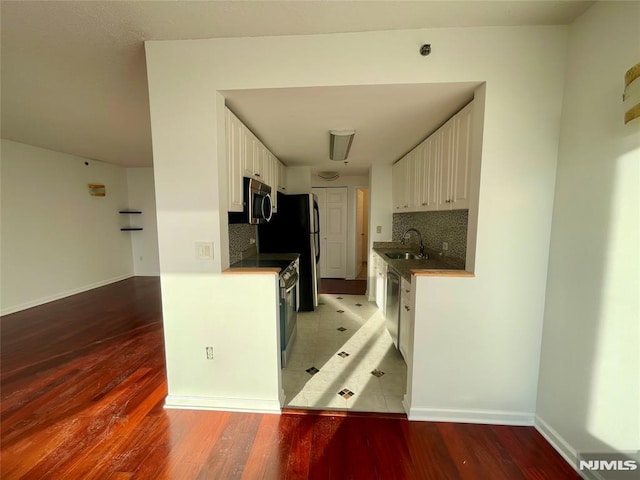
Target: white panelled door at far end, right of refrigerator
{"x": 332, "y": 203}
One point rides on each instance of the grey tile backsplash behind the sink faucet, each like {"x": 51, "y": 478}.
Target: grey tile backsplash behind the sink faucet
{"x": 436, "y": 227}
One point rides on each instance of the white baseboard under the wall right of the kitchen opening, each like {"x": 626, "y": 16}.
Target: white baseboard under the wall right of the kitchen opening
{"x": 489, "y": 417}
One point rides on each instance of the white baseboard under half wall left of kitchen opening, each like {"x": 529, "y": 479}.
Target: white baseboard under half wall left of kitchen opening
{"x": 247, "y": 405}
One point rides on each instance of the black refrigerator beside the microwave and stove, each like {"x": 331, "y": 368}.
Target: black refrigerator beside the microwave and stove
{"x": 295, "y": 228}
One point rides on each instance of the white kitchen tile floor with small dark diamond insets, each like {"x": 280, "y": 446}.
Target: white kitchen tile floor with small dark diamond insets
{"x": 344, "y": 359}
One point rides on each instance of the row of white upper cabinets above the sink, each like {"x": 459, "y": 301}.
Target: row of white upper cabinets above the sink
{"x": 435, "y": 174}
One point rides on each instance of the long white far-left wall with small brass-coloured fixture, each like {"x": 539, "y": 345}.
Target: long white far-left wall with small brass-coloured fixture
{"x": 58, "y": 240}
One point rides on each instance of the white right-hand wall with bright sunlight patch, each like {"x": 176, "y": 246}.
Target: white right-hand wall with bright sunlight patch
{"x": 588, "y": 397}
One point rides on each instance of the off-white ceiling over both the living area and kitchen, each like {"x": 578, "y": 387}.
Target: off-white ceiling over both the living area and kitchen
{"x": 74, "y": 75}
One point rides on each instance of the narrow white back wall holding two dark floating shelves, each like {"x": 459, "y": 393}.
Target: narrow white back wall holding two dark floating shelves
{"x": 144, "y": 243}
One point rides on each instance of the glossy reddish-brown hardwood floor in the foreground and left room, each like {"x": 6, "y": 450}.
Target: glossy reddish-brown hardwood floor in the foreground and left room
{"x": 83, "y": 385}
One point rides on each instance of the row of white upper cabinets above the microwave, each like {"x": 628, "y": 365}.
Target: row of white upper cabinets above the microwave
{"x": 248, "y": 157}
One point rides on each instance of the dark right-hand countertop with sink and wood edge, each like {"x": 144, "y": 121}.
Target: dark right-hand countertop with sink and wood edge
{"x": 435, "y": 265}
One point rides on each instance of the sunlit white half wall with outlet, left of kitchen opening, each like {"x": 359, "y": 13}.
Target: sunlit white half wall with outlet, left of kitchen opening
{"x": 241, "y": 322}
